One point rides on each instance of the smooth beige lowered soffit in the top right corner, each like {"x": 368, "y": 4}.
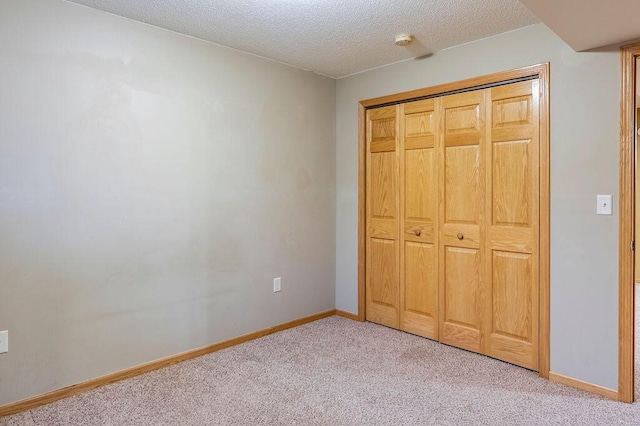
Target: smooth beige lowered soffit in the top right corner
{"x": 588, "y": 24}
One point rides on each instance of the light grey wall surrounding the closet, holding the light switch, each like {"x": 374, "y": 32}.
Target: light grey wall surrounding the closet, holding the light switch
{"x": 584, "y": 162}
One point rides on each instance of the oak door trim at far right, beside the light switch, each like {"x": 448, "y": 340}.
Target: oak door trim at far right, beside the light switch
{"x": 626, "y": 302}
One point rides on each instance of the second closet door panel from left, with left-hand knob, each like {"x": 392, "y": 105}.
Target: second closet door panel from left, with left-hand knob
{"x": 419, "y": 219}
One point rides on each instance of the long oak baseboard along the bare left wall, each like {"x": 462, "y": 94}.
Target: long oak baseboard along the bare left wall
{"x": 47, "y": 398}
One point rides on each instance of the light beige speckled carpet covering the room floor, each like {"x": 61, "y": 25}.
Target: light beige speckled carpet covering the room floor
{"x": 335, "y": 372}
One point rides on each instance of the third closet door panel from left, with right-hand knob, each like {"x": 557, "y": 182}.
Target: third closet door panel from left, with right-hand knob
{"x": 462, "y": 195}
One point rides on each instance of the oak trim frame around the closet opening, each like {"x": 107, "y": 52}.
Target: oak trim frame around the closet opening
{"x": 540, "y": 71}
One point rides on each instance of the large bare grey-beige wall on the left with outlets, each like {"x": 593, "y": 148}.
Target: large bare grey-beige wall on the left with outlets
{"x": 151, "y": 187}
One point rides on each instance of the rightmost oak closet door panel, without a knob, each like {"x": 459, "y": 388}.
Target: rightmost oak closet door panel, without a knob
{"x": 512, "y": 243}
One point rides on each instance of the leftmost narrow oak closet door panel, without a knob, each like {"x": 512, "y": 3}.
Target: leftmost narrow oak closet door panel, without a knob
{"x": 382, "y": 288}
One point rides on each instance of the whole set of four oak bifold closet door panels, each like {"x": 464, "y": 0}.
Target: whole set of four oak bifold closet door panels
{"x": 452, "y": 213}
